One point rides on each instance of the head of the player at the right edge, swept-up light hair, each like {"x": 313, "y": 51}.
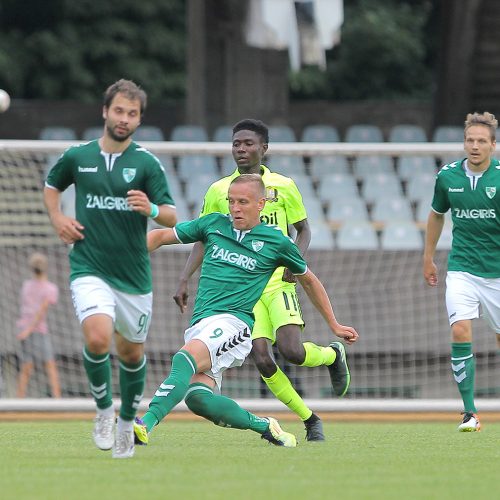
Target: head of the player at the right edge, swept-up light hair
{"x": 480, "y": 138}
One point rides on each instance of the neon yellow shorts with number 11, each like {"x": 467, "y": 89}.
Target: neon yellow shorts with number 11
{"x": 275, "y": 309}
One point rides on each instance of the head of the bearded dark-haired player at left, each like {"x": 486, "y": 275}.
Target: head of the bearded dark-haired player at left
{"x": 124, "y": 105}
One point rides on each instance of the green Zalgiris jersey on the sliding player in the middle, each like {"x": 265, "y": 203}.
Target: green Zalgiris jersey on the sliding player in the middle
{"x": 237, "y": 264}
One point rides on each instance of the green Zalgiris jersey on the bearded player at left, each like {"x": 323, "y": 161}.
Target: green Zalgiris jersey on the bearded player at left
{"x": 114, "y": 246}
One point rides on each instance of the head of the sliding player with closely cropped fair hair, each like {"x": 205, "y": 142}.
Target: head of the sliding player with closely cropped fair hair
{"x": 247, "y": 197}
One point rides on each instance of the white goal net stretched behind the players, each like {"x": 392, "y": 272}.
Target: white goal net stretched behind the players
{"x": 404, "y": 347}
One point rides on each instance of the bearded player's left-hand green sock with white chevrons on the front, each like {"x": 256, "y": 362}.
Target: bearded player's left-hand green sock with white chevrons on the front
{"x": 98, "y": 369}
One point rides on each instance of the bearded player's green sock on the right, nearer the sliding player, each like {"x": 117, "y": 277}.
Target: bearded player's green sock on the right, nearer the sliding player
{"x": 132, "y": 381}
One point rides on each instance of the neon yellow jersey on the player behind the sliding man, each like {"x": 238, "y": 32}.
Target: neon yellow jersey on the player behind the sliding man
{"x": 284, "y": 206}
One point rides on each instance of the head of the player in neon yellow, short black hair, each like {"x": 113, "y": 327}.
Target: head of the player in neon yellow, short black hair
{"x": 250, "y": 142}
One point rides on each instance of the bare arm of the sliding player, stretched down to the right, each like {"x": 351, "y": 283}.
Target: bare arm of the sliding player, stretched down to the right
{"x": 318, "y": 296}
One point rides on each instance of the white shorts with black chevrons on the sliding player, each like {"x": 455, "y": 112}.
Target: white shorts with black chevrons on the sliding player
{"x": 228, "y": 340}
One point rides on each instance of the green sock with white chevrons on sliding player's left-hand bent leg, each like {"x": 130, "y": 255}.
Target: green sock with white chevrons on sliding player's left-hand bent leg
{"x": 172, "y": 390}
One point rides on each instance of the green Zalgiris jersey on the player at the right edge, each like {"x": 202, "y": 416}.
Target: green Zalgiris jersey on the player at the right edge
{"x": 474, "y": 202}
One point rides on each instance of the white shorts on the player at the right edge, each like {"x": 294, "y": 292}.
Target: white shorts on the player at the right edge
{"x": 469, "y": 296}
